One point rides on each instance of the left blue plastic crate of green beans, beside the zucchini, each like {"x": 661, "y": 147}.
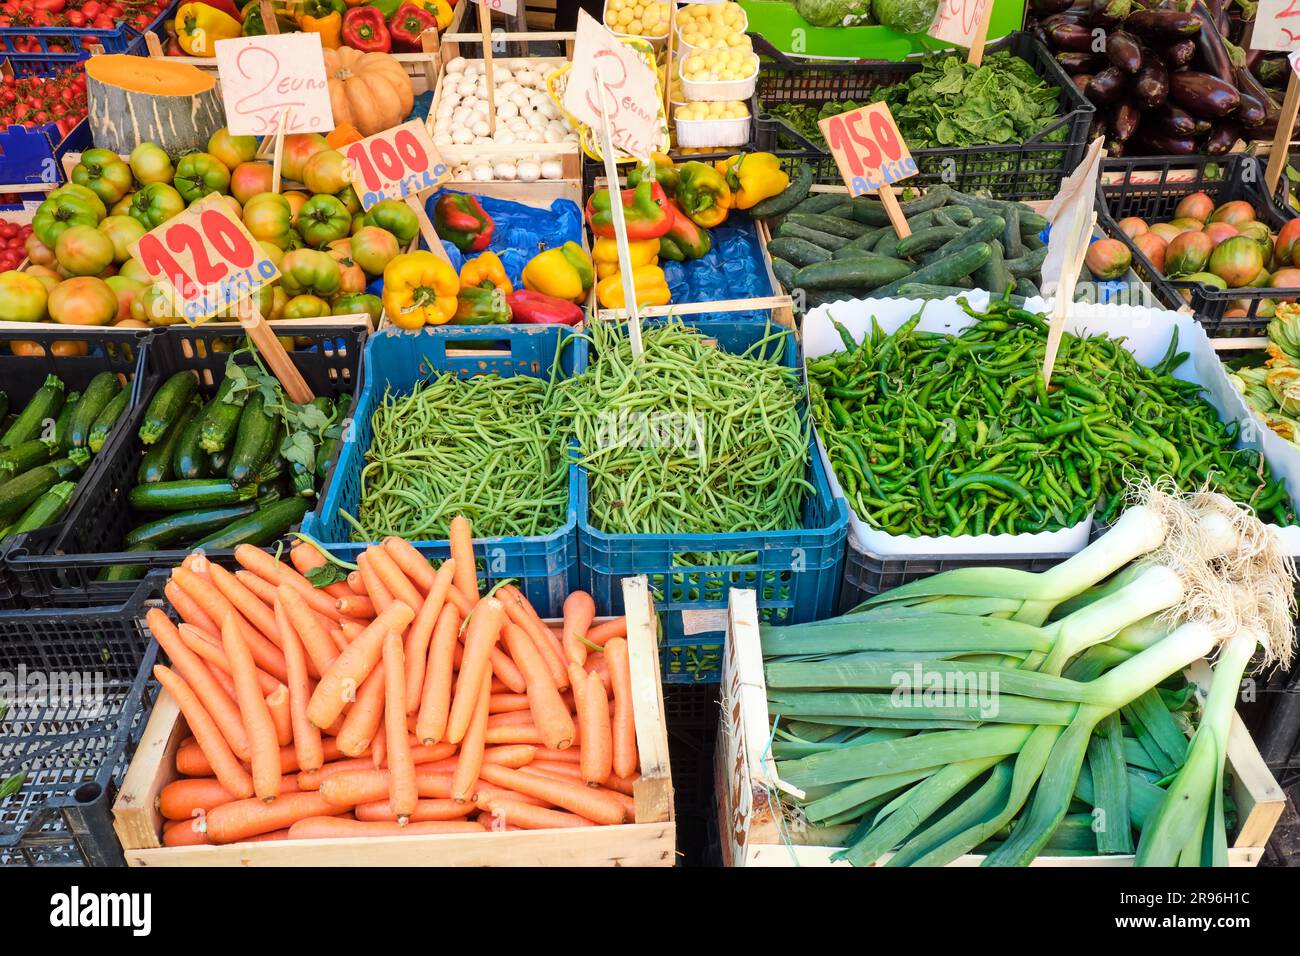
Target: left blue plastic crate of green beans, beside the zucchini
{"x": 544, "y": 568}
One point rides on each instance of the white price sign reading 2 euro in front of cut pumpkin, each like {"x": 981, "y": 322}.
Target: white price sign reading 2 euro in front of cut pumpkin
{"x": 275, "y": 79}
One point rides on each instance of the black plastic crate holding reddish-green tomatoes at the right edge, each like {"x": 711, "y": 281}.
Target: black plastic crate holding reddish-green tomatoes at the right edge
{"x": 1151, "y": 189}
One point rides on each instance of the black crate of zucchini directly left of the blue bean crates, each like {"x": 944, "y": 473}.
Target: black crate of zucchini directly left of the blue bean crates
{"x": 60, "y": 568}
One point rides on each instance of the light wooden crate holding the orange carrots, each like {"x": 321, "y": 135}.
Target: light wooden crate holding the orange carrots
{"x": 649, "y": 842}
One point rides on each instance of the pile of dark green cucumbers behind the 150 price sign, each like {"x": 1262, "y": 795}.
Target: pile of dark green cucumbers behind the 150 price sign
{"x": 835, "y": 248}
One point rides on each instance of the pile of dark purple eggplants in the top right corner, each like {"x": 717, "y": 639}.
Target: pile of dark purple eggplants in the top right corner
{"x": 1163, "y": 75}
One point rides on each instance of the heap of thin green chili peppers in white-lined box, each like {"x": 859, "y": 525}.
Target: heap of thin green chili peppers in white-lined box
{"x": 957, "y": 435}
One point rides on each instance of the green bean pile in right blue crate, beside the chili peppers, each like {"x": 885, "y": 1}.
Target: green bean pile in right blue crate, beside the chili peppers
{"x": 691, "y": 439}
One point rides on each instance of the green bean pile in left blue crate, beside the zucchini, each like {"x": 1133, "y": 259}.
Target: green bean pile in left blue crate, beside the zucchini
{"x": 484, "y": 448}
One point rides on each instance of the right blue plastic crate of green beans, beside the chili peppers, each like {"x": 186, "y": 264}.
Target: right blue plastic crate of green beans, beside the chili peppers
{"x": 796, "y": 574}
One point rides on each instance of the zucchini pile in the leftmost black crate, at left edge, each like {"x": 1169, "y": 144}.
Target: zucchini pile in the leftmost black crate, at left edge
{"x": 46, "y": 448}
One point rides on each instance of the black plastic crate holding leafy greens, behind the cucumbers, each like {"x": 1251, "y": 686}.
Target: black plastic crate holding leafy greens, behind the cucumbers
{"x": 1022, "y": 171}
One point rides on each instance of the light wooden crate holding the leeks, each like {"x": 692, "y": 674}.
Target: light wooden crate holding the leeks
{"x": 751, "y": 823}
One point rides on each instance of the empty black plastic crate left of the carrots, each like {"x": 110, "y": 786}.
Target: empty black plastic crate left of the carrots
{"x": 75, "y": 739}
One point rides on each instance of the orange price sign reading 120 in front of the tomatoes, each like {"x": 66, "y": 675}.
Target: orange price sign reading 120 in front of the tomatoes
{"x": 209, "y": 259}
